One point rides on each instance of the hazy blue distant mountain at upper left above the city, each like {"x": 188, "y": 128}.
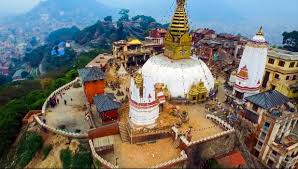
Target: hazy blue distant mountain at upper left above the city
{"x": 77, "y": 12}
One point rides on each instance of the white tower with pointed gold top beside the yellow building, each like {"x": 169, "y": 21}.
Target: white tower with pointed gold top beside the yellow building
{"x": 252, "y": 67}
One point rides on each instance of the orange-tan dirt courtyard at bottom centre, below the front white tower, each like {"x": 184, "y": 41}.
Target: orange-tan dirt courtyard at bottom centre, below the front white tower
{"x": 144, "y": 155}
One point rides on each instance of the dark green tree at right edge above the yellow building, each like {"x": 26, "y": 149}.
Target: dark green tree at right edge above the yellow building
{"x": 290, "y": 41}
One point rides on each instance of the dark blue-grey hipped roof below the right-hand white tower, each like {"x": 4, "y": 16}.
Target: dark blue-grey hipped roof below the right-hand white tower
{"x": 268, "y": 100}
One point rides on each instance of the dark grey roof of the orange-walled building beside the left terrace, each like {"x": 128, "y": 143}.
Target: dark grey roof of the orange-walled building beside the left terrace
{"x": 91, "y": 74}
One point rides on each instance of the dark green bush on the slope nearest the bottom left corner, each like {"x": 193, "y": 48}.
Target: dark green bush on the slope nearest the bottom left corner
{"x": 27, "y": 148}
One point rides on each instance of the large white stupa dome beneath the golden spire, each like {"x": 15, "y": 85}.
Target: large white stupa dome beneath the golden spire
{"x": 177, "y": 75}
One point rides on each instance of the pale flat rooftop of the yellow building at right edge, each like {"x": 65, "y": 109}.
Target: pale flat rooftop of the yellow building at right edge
{"x": 283, "y": 54}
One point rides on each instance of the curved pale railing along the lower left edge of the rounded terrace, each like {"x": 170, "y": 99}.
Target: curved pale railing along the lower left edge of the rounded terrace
{"x": 59, "y": 131}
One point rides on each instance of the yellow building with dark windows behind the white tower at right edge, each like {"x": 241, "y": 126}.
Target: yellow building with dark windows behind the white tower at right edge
{"x": 282, "y": 72}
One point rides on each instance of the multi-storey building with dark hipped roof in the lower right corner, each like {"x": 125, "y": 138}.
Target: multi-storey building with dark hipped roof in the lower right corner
{"x": 272, "y": 120}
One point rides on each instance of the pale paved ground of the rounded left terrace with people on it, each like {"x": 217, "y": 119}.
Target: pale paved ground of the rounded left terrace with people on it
{"x": 71, "y": 115}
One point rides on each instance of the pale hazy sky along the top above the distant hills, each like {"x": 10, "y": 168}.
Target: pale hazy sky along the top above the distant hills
{"x": 287, "y": 6}
